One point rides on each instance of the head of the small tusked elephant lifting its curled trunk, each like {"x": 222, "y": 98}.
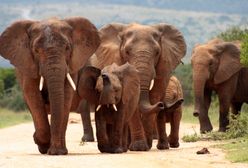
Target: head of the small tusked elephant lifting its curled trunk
{"x": 110, "y": 86}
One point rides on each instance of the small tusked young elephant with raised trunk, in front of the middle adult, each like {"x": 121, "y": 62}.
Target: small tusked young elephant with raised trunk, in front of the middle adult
{"x": 114, "y": 91}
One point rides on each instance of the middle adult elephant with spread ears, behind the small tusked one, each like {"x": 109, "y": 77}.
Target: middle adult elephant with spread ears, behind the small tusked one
{"x": 155, "y": 51}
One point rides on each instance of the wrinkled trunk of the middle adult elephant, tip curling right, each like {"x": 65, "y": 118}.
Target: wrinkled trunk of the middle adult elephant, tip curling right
{"x": 146, "y": 72}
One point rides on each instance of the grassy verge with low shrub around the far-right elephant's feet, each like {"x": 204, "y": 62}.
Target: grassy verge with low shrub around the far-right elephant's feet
{"x": 235, "y": 139}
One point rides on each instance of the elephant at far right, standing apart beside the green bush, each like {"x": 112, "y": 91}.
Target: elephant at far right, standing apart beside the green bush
{"x": 216, "y": 67}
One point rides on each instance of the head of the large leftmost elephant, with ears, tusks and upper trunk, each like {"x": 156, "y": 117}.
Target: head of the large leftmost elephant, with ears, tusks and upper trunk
{"x": 50, "y": 50}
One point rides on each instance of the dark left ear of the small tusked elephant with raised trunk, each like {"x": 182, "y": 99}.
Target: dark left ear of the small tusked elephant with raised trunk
{"x": 87, "y": 83}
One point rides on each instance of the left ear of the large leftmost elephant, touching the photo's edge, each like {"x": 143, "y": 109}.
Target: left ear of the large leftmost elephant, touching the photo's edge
{"x": 15, "y": 46}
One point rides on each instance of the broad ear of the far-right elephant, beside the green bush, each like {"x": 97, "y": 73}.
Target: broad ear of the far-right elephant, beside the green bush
{"x": 229, "y": 61}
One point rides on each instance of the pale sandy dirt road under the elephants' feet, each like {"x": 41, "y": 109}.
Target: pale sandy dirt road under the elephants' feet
{"x": 17, "y": 149}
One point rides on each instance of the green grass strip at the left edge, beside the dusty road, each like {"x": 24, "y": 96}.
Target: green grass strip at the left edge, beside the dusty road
{"x": 10, "y": 118}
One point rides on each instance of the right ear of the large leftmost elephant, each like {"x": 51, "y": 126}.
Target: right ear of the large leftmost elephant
{"x": 85, "y": 41}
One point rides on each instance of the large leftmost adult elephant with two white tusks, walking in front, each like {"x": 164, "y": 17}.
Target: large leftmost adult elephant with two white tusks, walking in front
{"x": 45, "y": 54}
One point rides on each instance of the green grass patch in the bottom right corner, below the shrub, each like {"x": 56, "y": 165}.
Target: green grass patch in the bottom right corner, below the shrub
{"x": 237, "y": 150}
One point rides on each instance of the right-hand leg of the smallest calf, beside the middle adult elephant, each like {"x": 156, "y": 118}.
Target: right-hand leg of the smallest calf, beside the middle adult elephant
{"x": 175, "y": 125}
